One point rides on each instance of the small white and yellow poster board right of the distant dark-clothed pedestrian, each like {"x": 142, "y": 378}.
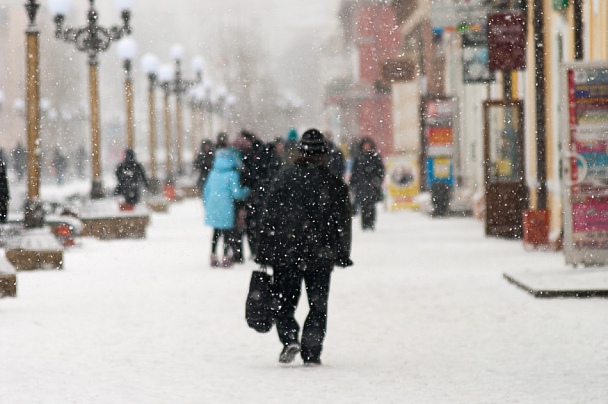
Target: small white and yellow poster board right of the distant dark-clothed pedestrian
{"x": 402, "y": 182}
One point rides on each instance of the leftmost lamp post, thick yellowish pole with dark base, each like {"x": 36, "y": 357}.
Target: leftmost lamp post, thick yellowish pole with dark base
{"x": 33, "y": 212}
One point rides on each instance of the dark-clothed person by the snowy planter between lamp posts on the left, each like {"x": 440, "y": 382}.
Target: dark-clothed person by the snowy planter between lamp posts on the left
{"x": 131, "y": 177}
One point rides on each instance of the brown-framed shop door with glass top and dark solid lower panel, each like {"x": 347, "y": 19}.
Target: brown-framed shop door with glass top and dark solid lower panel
{"x": 504, "y": 163}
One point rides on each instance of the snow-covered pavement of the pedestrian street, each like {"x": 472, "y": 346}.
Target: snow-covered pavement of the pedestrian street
{"x": 424, "y": 316}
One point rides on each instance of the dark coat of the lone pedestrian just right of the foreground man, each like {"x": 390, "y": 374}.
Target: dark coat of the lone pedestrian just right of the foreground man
{"x": 366, "y": 178}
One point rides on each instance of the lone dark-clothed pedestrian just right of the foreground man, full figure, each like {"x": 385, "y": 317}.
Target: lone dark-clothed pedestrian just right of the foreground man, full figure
{"x": 366, "y": 181}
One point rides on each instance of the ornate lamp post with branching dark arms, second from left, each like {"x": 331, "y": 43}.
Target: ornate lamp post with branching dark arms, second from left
{"x": 92, "y": 39}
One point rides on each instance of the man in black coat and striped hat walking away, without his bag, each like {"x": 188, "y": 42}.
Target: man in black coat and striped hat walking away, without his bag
{"x": 305, "y": 231}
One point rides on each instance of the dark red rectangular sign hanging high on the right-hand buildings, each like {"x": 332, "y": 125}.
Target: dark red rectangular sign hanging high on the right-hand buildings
{"x": 507, "y": 40}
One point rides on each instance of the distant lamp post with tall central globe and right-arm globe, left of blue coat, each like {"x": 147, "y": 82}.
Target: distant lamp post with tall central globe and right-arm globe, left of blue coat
{"x": 180, "y": 86}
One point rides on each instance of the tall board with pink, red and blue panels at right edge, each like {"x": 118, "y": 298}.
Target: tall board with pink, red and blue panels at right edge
{"x": 585, "y": 163}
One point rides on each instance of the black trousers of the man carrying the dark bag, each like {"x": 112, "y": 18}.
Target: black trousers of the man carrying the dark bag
{"x": 288, "y": 288}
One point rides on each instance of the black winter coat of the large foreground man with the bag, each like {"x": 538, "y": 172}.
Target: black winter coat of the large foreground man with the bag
{"x": 306, "y": 217}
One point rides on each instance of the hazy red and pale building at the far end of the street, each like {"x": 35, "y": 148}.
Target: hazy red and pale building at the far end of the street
{"x": 359, "y": 102}
